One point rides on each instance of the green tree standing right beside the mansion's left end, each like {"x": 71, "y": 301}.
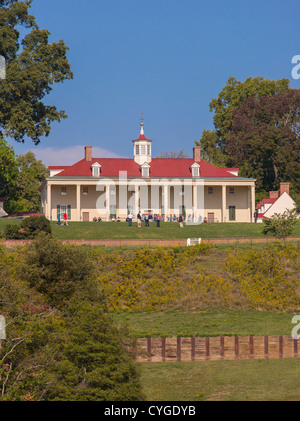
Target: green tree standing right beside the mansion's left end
{"x": 26, "y": 196}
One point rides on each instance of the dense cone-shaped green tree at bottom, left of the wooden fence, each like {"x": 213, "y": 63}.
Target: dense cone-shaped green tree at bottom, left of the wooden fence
{"x": 93, "y": 364}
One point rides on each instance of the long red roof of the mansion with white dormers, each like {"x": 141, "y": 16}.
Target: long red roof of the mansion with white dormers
{"x": 159, "y": 167}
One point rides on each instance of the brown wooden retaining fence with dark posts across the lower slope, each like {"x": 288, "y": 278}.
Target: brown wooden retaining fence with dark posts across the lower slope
{"x": 213, "y": 348}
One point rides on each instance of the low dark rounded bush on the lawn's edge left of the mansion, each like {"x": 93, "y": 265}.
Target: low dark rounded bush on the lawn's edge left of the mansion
{"x": 29, "y": 228}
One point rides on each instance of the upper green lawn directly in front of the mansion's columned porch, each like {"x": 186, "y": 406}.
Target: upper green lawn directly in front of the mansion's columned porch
{"x": 168, "y": 230}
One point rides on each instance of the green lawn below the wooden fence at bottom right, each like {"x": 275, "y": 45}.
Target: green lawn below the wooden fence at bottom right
{"x": 243, "y": 380}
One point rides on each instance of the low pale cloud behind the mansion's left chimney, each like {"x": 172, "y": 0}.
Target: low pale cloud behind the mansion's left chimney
{"x": 70, "y": 155}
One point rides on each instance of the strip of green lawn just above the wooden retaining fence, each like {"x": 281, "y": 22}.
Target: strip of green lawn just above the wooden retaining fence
{"x": 205, "y": 322}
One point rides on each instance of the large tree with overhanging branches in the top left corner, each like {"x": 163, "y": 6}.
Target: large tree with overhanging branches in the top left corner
{"x": 33, "y": 66}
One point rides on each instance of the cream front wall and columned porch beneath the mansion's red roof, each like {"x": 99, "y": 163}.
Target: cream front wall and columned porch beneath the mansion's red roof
{"x": 217, "y": 200}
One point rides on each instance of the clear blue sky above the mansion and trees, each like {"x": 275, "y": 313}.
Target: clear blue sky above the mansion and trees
{"x": 167, "y": 58}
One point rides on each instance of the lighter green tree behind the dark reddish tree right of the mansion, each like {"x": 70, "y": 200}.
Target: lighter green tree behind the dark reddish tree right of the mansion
{"x": 231, "y": 97}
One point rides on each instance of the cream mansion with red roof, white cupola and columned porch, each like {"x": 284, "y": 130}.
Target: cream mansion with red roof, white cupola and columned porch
{"x": 114, "y": 187}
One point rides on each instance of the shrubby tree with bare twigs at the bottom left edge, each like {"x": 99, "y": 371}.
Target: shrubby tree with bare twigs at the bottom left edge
{"x": 31, "y": 328}
